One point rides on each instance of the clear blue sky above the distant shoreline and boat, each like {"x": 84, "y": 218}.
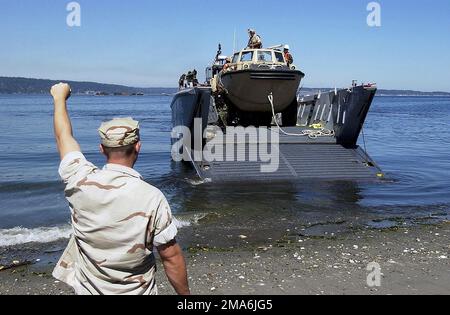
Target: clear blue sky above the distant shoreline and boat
{"x": 149, "y": 43}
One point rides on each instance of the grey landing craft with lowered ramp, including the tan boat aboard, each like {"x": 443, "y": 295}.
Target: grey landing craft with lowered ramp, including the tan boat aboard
{"x": 316, "y": 135}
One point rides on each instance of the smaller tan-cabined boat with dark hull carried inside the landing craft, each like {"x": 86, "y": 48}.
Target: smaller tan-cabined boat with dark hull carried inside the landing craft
{"x": 242, "y": 87}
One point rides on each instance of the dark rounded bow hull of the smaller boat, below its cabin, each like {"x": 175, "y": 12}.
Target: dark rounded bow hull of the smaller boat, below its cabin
{"x": 248, "y": 90}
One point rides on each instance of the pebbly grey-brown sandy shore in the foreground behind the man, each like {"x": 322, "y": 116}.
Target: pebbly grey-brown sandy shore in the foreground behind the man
{"x": 413, "y": 260}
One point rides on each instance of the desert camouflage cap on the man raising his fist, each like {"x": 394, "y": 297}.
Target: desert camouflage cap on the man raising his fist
{"x": 119, "y": 132}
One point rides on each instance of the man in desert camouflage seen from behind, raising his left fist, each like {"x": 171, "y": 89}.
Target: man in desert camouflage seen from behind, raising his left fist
{"x": 117, "y": 218}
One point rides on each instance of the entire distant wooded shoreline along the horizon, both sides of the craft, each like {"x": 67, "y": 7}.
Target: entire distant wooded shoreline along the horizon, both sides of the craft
{"x": 40, "y": 86}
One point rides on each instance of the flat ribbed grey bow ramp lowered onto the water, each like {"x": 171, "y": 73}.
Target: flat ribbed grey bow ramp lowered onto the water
{"x": 300, "y": 158}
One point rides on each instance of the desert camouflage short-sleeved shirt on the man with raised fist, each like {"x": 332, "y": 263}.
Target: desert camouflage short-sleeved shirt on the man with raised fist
{"x": 117, "y": 220}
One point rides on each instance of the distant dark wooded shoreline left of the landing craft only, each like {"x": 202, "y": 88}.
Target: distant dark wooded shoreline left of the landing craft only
{"x": 40, "y": 86}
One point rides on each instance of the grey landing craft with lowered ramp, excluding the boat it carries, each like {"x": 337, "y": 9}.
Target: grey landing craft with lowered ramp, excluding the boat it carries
{"x": 321, "y": 146}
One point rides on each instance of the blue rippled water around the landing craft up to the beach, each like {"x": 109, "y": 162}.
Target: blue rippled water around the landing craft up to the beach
{"x": 407, "y": 136}
